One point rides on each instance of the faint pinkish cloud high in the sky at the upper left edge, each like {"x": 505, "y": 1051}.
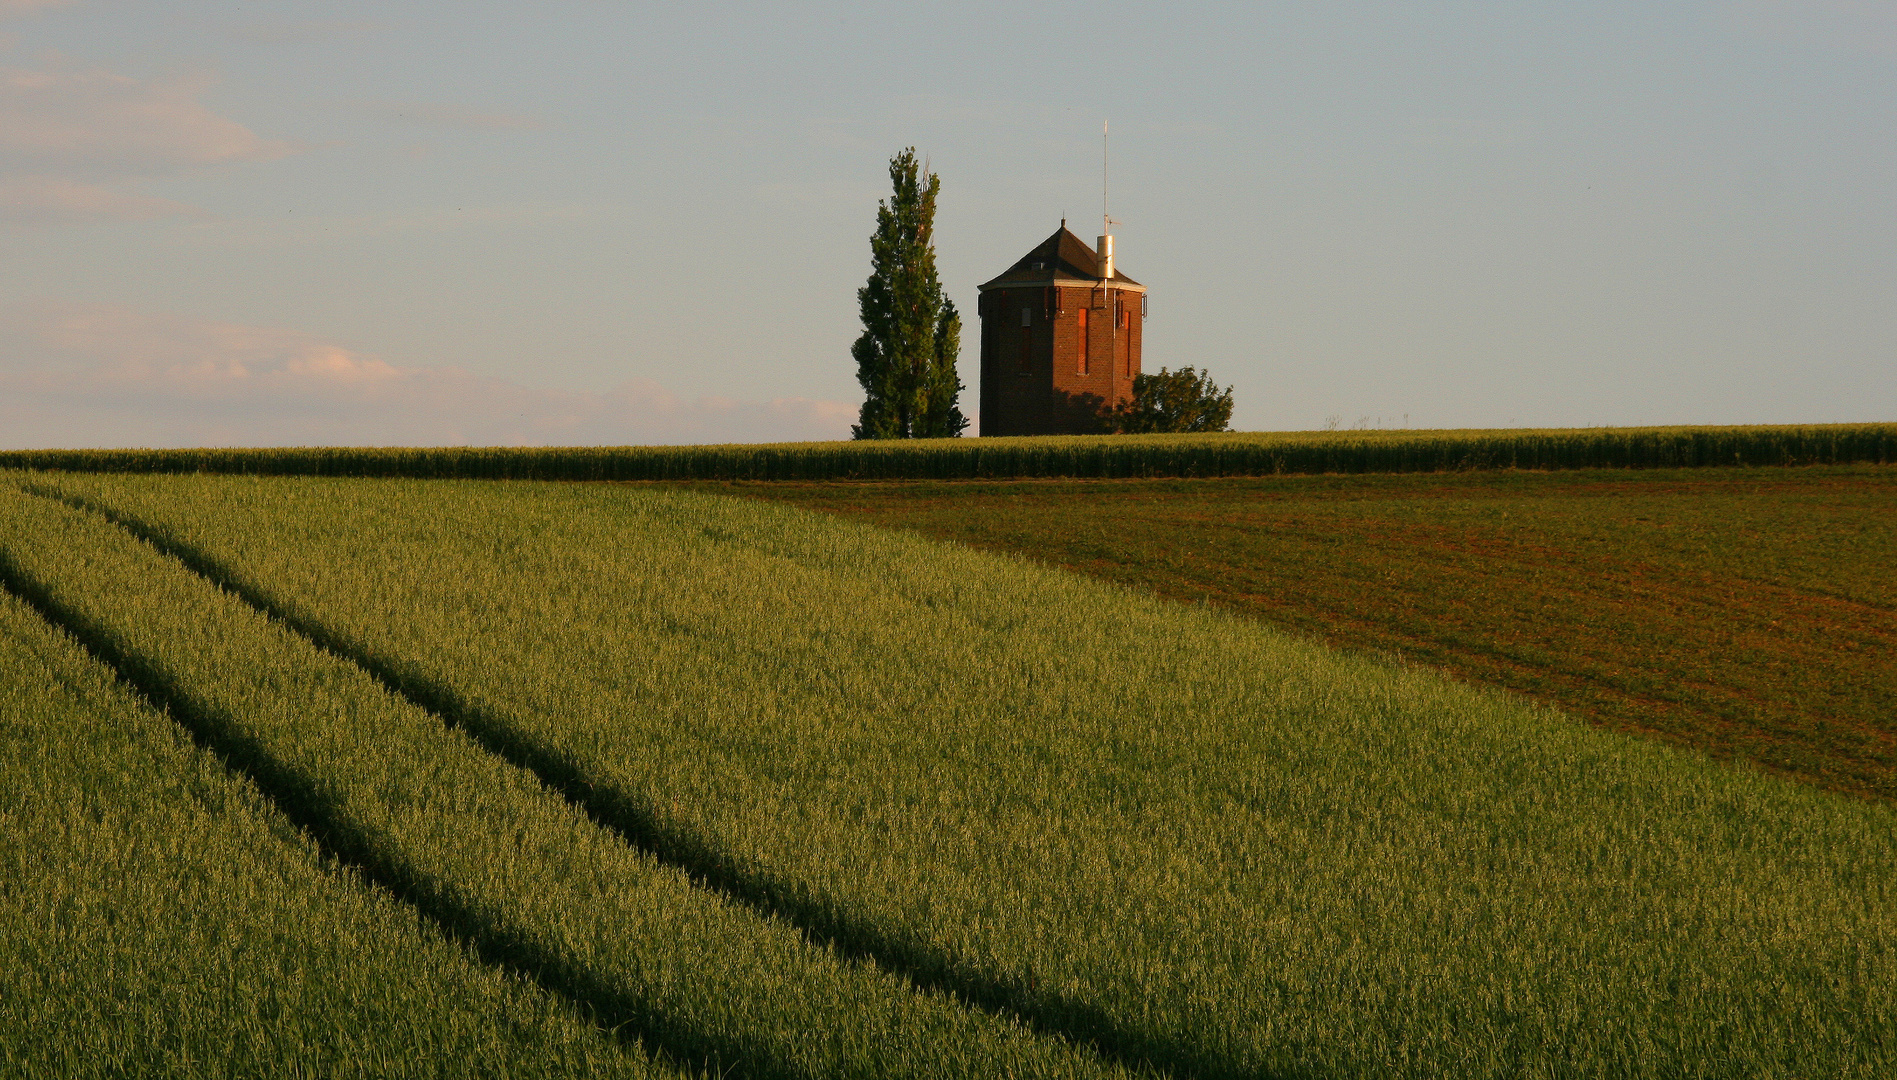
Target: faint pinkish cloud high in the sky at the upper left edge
{"x": 71, "y": 141}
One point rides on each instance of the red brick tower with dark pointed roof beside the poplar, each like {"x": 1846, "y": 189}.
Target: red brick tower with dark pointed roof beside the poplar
{"x": 1059, "y": 339}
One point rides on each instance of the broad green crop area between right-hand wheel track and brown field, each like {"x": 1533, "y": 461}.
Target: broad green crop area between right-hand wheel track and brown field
{"x": 1164, "y": 832}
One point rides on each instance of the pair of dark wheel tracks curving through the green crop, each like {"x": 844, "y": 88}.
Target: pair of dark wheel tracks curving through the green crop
{"x": 820, "y": 923}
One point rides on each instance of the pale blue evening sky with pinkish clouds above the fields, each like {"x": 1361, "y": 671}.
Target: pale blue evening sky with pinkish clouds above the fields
{"x": 587, "y": 223}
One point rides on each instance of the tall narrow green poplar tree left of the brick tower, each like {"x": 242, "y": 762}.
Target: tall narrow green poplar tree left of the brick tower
{"x": 912, "y": 333}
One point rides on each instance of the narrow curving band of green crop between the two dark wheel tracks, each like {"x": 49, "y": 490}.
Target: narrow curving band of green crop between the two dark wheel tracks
{"x": 483, "y": 847}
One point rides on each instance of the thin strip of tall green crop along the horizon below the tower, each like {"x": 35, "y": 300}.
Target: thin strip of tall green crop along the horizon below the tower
{"x": 1230, "y": 455}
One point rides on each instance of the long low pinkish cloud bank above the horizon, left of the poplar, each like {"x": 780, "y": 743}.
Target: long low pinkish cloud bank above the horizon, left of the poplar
{"x": 113, "y": 377}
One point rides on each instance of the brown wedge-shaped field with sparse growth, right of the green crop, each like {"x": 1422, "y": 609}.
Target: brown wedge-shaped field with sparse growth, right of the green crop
{"x": 1744, "y": 612}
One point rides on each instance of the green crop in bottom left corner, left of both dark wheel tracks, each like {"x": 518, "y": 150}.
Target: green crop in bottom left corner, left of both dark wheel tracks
{"x": 160, "y": 920}
